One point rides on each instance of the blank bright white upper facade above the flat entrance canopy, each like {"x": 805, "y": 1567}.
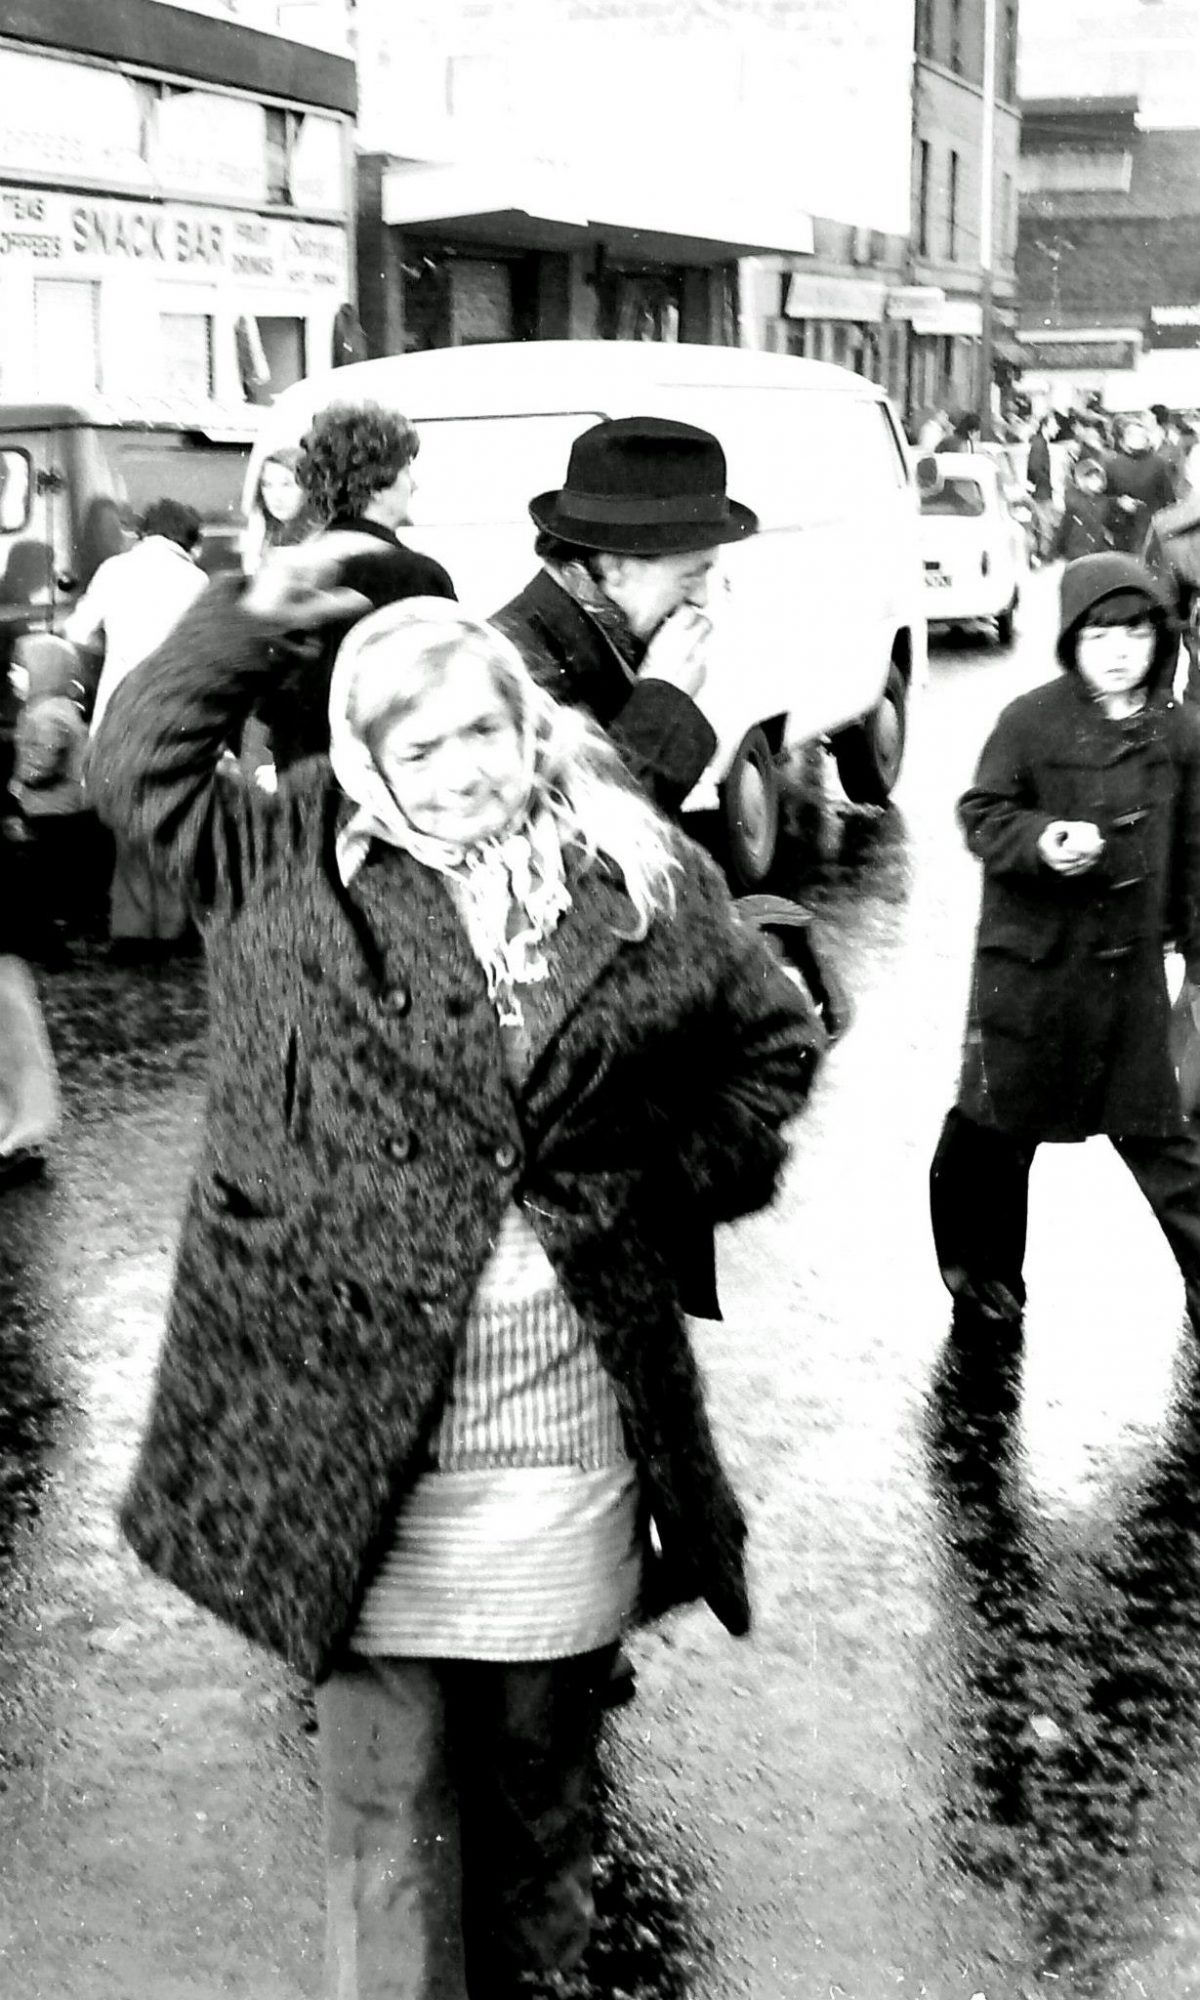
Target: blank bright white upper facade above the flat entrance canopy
{"x": 807, "y": 107}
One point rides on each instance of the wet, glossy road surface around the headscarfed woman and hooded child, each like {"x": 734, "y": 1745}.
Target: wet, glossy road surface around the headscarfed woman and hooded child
{"x": 959, "y": 1757}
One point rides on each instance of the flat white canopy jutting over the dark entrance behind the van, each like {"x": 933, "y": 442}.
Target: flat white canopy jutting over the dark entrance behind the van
{"x": 553, "y": 209}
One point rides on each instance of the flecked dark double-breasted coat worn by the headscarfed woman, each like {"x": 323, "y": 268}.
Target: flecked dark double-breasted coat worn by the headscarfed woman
{"x": 363, "y": 1143}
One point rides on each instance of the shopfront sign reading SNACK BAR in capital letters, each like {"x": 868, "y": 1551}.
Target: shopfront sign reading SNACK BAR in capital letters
{"x": 95, "y": 237}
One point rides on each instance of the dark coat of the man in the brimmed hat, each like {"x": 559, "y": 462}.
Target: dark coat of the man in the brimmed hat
{"x": 661, "y": 733}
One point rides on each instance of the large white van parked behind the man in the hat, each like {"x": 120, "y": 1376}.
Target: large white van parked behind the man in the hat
{"x": 819, "y": 621}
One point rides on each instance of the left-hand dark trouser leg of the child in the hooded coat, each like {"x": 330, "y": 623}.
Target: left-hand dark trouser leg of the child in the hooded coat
{"x": 979, "y": 1207}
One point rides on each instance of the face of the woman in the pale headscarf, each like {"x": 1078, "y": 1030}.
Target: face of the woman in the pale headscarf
{"x": 455, "y": 761}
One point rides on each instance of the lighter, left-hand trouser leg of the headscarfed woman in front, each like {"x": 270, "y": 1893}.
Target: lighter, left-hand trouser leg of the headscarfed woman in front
{"x": 391, "y": 1817}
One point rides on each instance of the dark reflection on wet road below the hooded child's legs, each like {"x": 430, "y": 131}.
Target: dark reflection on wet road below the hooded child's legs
{"x": 1073, "y": 1677}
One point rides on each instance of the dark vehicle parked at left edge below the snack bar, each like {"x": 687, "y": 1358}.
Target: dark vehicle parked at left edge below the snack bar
{"x": 73, "y": 483}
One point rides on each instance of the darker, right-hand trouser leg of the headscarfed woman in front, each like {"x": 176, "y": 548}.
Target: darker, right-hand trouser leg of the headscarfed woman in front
{"x": 525, "y": 1747}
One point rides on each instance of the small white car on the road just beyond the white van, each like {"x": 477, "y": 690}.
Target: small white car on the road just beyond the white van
{"x": 973, "y": 545}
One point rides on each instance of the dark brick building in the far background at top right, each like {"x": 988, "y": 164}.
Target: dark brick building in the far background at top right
{"x": 1109, "y": 257}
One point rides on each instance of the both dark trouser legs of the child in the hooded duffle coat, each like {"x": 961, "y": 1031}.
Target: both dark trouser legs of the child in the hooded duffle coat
{"x": 979, "y": 1207}
